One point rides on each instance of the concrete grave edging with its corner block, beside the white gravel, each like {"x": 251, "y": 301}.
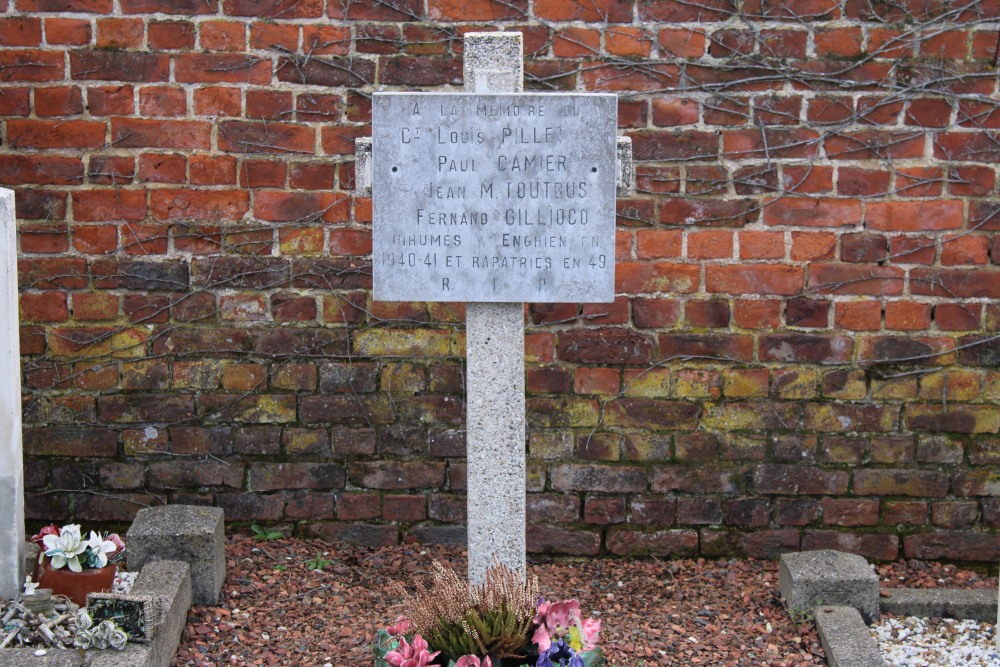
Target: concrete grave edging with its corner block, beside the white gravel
{"x": 842, "y": 630}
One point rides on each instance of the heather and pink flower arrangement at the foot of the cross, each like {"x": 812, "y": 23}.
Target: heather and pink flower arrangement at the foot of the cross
{"x": 501, "y": 622}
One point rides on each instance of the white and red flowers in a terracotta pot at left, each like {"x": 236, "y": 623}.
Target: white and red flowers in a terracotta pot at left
{"x": 73, "y": 566}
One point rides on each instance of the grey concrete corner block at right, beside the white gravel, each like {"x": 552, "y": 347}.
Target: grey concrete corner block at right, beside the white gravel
{"x": 809, "y": 579}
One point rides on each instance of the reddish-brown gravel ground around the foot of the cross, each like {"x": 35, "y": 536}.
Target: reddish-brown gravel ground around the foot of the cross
{"x": 278, "y": 611}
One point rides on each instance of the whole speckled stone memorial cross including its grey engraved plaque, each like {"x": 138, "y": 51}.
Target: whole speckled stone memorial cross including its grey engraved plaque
{"x": 494, "y": 197}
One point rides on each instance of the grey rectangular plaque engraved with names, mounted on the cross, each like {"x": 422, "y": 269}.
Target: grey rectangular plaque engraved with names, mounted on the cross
{"x": 494, "y": 198}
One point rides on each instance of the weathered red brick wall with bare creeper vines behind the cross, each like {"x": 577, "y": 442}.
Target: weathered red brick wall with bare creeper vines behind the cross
{"x": 805, "y": 347}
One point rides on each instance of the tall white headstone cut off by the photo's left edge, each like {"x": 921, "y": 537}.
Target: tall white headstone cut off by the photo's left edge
{"x": 11, "y": 467}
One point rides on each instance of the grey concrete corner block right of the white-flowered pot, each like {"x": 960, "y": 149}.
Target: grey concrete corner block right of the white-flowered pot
{"x": 189, "y": 533}
